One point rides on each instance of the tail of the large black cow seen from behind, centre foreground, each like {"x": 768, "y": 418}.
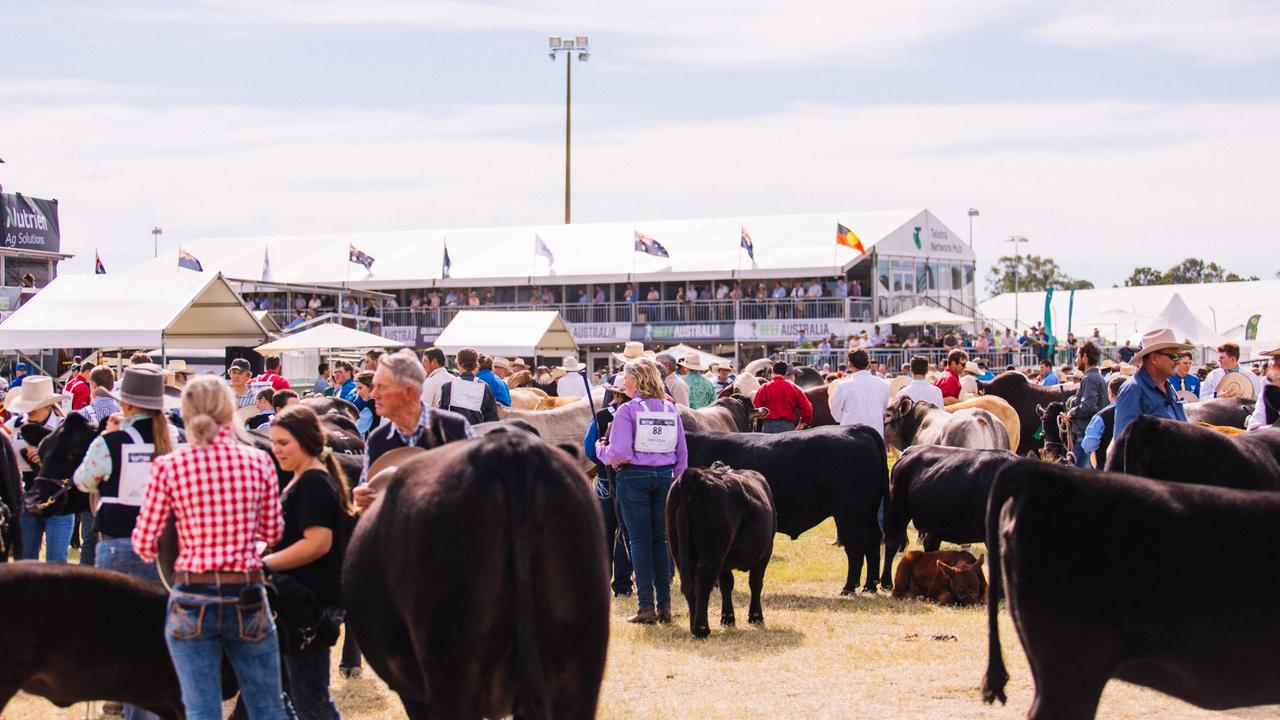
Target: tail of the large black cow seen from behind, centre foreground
{"x": 520, "y": 493}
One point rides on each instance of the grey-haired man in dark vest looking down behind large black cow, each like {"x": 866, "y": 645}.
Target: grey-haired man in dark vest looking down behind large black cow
{"x": 408, "y": 422}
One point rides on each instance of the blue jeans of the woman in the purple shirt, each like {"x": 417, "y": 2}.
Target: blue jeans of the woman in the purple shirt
{"x": 643, "y": 503}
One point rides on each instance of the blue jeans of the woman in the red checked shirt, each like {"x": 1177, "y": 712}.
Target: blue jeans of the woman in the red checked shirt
{"x": 207, "y": 621}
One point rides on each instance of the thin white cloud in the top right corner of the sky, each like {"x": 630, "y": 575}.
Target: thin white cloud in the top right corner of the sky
{"x": 1224, "y": 31}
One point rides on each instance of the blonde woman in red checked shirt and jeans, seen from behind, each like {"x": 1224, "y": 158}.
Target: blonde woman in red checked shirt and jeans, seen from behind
{"x": 226, "y": 499}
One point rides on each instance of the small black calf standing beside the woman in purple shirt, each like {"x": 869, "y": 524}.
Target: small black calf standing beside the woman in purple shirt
{"x": 720, "y": 521}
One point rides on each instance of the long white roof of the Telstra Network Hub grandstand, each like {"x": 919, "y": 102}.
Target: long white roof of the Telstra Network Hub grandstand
{"x": 801, "y": 245}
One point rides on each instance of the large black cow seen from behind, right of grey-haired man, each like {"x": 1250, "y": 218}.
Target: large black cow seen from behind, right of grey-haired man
{"x": 516, "y": 618}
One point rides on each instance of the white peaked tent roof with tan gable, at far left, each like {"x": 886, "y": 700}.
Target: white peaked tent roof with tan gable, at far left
{"x": 194, "y": 311}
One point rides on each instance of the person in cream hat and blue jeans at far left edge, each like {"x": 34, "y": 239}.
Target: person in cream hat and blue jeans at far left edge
{"x": 36, "y": 403}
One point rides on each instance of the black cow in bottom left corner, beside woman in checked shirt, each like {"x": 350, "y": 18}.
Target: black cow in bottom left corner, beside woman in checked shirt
{"x": 77, "y": 634}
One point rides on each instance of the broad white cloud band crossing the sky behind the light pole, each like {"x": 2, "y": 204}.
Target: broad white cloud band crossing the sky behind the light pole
{"x": 1101, "y": 186}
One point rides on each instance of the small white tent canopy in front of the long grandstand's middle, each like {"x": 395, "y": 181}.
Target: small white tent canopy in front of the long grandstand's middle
{"x": 513, "y": 334}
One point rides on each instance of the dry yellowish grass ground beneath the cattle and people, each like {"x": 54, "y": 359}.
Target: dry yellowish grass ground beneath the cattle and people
{"x": 819, "y": 655}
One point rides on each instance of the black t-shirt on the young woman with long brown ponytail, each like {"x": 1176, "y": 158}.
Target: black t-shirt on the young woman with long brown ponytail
{"x": 309, "y": 504}
